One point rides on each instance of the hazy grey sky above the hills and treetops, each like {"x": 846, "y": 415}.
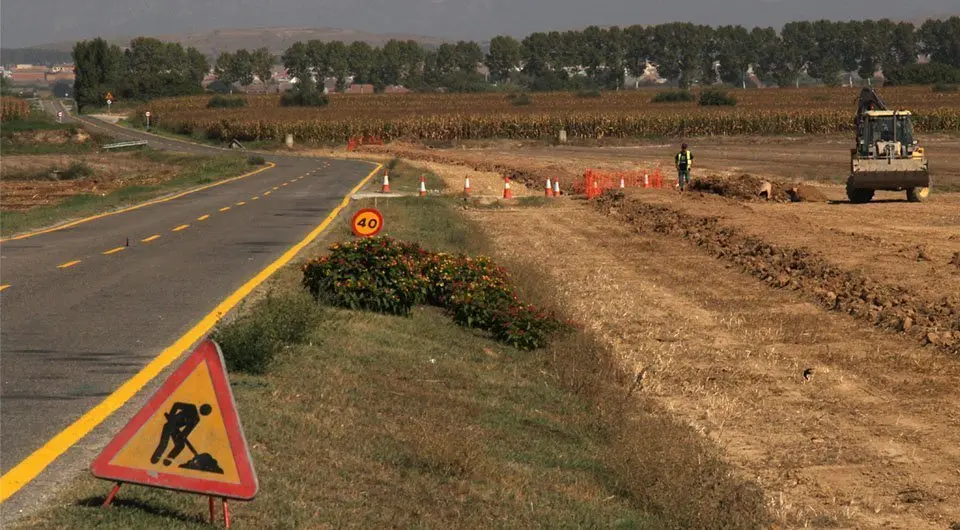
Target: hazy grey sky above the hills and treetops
{"x": 31, "y": 22}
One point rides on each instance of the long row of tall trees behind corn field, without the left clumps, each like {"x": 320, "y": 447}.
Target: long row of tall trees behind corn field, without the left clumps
{"x": 684, "y": 53}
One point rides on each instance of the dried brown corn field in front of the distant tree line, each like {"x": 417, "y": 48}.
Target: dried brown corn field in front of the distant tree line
{"x": 445, "y": 117}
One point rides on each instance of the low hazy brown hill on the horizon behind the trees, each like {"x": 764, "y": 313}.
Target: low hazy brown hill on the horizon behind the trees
{"x": 277, "y": 39}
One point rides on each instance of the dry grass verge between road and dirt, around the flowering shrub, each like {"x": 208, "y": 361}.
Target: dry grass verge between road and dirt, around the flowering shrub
{"x": 373, "y": 421}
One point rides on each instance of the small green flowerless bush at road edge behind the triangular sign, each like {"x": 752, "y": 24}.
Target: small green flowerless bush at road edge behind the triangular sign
{"x": 250, "y": 342}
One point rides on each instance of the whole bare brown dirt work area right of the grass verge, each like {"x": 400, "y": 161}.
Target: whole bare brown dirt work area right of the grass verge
{"x": 818, "y": 343}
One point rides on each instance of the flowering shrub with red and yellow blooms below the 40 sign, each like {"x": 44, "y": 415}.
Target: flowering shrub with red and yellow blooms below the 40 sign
{"x": 387, "y": 276}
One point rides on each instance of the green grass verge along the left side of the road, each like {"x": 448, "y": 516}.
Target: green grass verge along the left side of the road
{"x": 195, "y": 170}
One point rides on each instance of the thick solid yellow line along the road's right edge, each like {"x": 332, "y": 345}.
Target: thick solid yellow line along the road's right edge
{"x": 30, "y": 467}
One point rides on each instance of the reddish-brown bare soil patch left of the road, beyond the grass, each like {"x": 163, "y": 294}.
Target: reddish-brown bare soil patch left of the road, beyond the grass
{"x": 42, "y": 188}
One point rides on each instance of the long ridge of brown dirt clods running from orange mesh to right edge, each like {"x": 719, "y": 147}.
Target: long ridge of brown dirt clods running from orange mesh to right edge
{"x": 935, "y": 322}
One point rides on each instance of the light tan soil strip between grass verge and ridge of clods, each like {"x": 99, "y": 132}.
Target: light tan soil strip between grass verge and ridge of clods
{"x": 872, "y": 439}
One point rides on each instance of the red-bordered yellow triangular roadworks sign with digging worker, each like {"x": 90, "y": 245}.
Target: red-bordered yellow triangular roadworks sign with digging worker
{"x": 188, "y": 437}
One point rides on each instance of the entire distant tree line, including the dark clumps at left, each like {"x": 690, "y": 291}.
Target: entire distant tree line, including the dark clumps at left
{"x": 594, "y": 58}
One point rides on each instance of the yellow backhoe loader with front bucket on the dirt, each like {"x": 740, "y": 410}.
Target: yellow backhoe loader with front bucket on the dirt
{"x": 887, "y": 156}
